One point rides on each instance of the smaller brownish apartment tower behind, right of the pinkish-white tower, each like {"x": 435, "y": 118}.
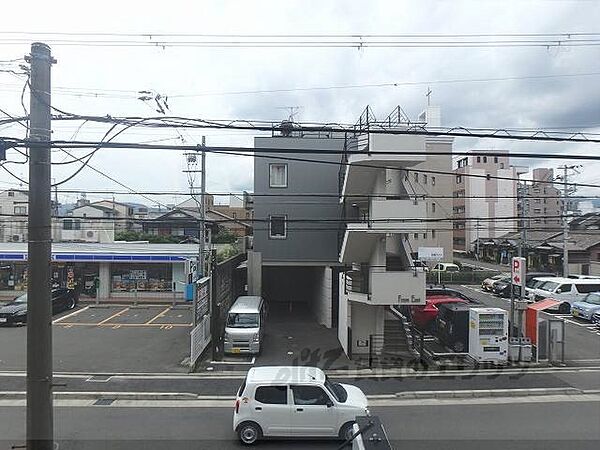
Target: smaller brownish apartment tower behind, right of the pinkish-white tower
{"x": 540, "y": 206}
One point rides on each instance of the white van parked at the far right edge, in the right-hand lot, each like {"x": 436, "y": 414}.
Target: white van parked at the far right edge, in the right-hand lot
{"x": 565, "y": 290}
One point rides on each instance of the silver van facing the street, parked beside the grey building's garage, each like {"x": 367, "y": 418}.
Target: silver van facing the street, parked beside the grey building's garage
{"x": 244, "y": 326}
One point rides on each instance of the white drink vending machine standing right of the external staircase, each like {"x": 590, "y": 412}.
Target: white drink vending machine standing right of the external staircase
{"x": 488, "y": 335}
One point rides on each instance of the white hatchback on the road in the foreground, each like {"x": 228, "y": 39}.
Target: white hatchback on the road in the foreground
{"x": 297, "y": 402}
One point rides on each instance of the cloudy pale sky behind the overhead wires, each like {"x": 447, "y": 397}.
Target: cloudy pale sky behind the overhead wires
{"x": 199, "y": 81}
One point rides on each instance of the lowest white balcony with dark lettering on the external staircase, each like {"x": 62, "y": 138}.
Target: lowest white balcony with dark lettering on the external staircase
{"x": 377, "y": 286}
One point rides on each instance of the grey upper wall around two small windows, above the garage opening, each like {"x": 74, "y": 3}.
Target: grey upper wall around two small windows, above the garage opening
{"x": 303, "y": 243}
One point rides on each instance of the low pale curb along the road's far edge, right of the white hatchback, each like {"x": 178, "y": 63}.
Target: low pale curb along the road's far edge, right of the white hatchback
{"x": 487, "y": 393}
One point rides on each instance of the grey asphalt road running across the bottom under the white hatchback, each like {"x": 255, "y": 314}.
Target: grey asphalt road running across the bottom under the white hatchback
{"x": 520, "y": 425}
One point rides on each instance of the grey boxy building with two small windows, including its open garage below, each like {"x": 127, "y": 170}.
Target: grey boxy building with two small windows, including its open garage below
{"x": 296, "y": 221}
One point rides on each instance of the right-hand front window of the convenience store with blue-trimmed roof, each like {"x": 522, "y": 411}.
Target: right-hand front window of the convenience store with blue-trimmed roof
{"x": 143, "y": 277}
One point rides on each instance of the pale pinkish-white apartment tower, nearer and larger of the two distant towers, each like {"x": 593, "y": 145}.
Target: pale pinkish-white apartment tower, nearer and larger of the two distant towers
{"x": 485, "y": 199}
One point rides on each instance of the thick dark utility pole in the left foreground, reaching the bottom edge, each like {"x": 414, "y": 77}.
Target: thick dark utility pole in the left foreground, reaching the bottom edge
{"x": 40, "y": 427}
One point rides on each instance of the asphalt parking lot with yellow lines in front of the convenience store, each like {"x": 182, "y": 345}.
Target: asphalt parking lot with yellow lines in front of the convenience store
{"x": 110, "y": 339}
